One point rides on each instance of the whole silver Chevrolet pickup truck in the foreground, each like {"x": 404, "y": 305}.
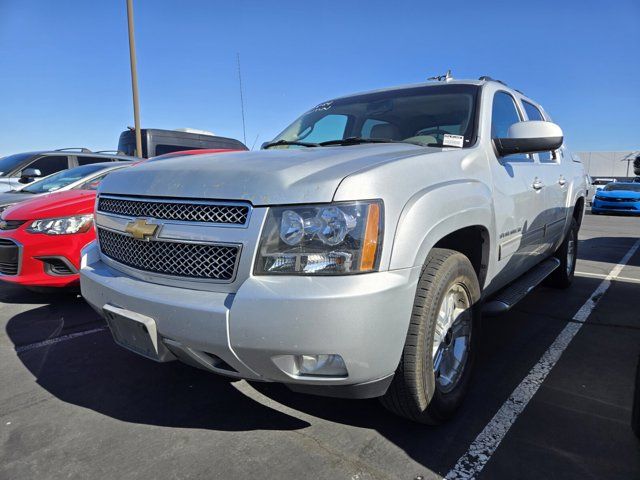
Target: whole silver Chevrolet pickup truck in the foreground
{"x": 354, "y": 254}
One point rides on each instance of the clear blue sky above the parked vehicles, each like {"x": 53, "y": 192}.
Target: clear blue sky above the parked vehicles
{"x": 64, "y": 65}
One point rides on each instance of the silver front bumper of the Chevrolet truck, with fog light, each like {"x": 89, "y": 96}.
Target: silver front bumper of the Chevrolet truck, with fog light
{"x": 363, "y": 318}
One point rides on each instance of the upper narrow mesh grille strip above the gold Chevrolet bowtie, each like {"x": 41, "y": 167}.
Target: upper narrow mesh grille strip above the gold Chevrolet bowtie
{"x": 180, "y": 210}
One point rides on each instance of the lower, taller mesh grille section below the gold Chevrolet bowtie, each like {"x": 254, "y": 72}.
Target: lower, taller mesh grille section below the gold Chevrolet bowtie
{"x": 214, "y": 262}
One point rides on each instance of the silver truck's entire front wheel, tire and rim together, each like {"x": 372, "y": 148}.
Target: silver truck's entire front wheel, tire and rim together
{"x": 435, "y": 368}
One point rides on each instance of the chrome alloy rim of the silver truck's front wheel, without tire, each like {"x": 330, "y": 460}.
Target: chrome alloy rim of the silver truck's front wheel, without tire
{"x": 452, "y": 337}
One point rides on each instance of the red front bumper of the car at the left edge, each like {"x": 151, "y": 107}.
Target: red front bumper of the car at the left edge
{"x": 37, "y": 251}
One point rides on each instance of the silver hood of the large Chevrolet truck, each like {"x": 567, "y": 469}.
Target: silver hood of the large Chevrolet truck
{"x": 264, "y": 177}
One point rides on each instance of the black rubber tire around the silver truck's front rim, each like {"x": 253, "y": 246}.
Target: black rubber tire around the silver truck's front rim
{"x": 415, "y": 393}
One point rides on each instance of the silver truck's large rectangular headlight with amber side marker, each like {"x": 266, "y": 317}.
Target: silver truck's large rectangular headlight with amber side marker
{"x": 331, "y": 239}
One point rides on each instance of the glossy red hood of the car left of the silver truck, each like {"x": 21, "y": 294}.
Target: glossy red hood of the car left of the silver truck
{"x": 59, "y": 204}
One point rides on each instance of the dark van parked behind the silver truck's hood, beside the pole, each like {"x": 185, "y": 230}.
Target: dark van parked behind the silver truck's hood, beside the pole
{"x": 158, "y": 142}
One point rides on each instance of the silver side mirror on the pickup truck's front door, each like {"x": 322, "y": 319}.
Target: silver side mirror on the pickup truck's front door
{"x": 530, "y": 137}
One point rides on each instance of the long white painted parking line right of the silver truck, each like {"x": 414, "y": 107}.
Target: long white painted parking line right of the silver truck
{"x": 486, "y": 443}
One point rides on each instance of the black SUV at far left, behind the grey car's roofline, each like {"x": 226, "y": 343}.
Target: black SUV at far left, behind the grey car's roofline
{"x": 21, "y": 168}
